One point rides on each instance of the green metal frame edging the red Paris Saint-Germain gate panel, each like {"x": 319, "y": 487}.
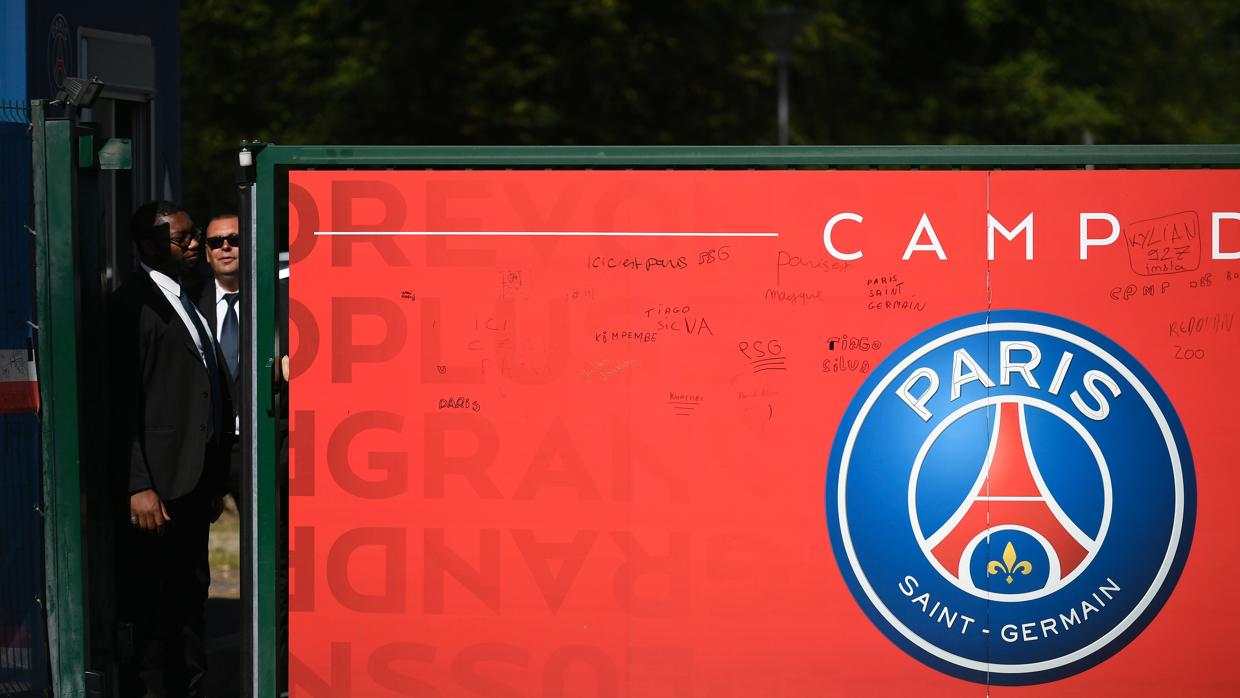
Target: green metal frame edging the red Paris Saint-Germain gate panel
{"x": 260, "y": 216}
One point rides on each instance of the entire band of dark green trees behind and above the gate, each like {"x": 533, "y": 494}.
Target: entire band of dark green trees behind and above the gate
{"x": 612, "y": 73}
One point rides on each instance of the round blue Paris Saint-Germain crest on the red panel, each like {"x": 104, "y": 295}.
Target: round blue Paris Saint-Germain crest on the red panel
{"x": 1011, "y": 498}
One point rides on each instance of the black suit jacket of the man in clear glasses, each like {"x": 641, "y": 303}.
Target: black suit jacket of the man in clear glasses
{"x": 166, "y": 433}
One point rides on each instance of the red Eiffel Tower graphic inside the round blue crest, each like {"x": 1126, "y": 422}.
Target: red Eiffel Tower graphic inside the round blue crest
{"x": 1010, "y": 494}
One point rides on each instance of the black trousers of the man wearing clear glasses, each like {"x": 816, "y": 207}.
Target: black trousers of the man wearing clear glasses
{"x": 163, "y": 585}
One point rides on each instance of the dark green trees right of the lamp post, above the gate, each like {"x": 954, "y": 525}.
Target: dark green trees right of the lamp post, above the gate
{"x": 1021, "y": 73}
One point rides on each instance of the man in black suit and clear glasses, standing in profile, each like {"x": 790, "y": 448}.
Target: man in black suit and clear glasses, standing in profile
{"x": 173, "y": 435}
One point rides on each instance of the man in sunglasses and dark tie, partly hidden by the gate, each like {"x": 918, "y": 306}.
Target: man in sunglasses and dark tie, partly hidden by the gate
{"x": 218, "y": 301}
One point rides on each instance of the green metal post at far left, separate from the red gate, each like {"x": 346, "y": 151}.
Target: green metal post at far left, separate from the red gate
{"x": 55, "y": 178}
